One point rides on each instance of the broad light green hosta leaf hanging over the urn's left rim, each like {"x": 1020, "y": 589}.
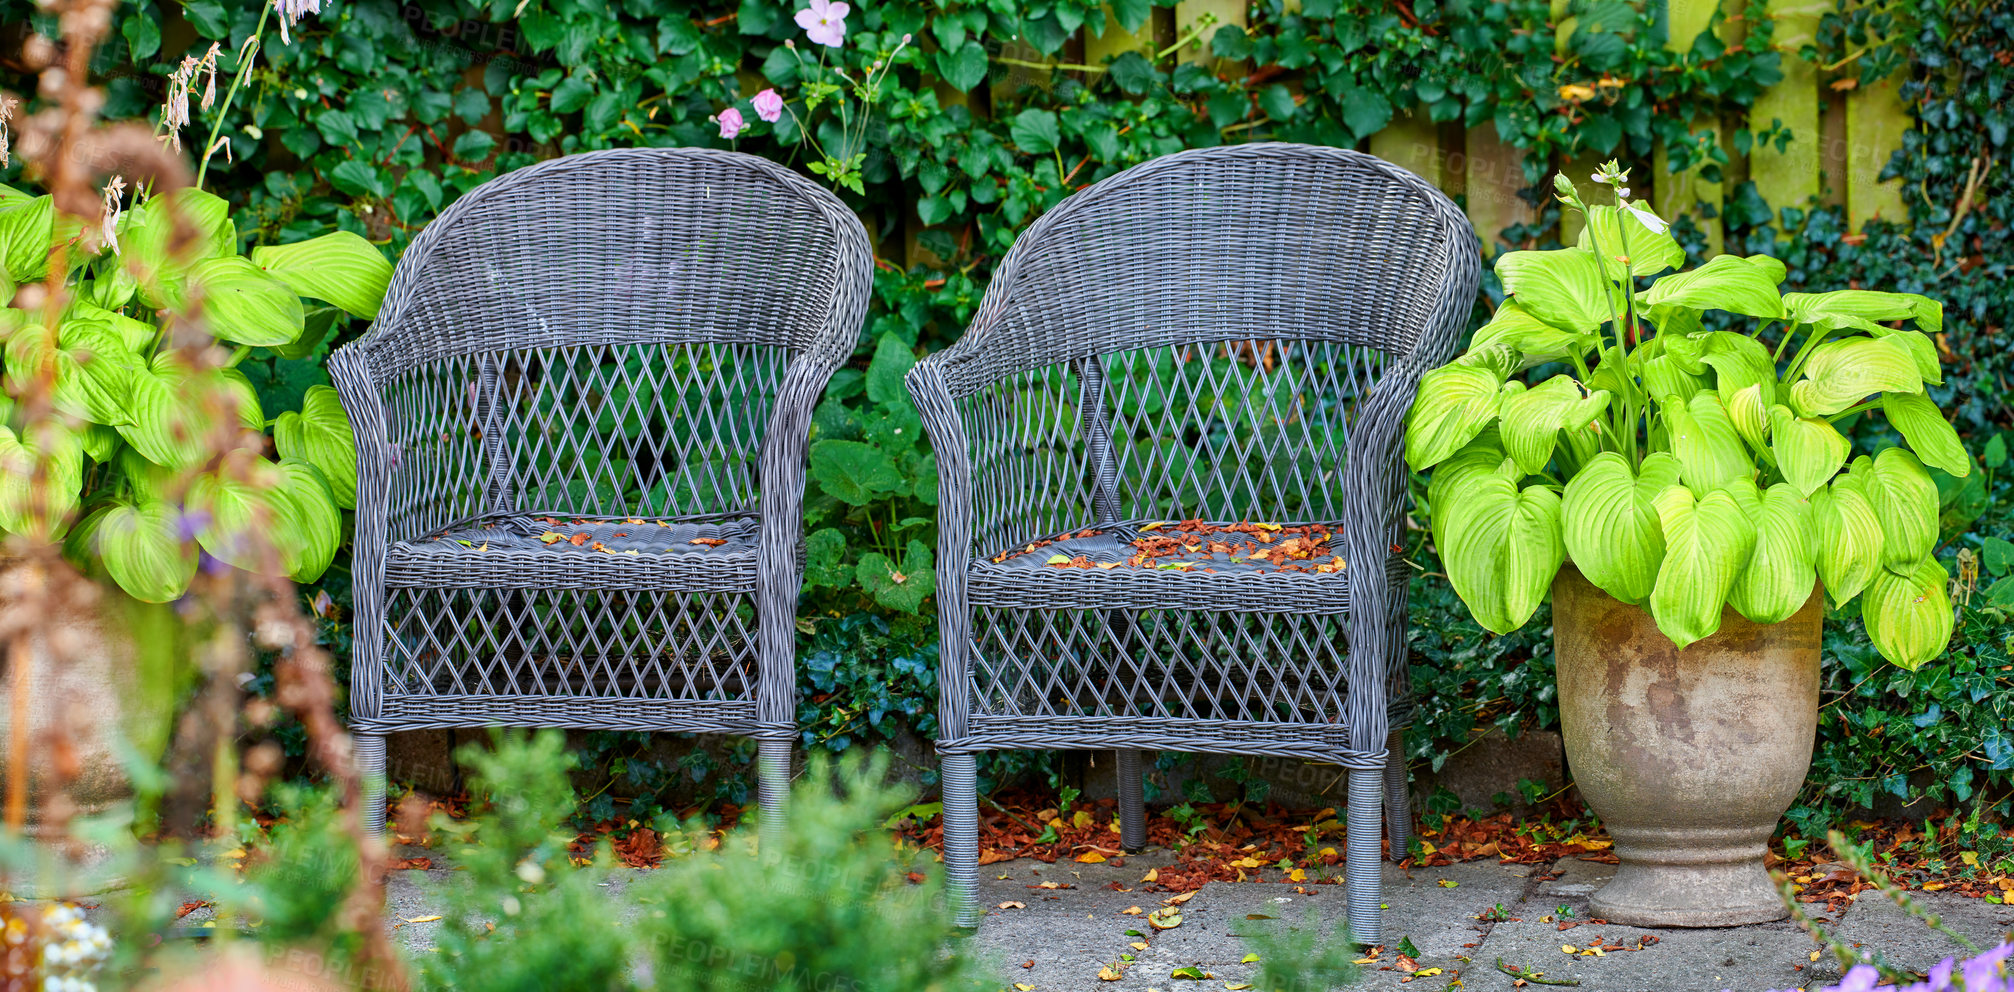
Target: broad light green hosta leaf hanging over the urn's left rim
{"x": 1610, "y": 524}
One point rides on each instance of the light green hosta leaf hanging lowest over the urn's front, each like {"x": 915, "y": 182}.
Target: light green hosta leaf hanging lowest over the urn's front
{"x": 1707, "y": 546}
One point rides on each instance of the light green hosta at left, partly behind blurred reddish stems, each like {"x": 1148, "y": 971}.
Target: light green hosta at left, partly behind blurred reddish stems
{"x": 158, "y": 450}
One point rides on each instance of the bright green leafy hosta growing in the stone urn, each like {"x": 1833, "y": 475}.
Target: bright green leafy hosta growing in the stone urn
{"x": 1681, "y": 468}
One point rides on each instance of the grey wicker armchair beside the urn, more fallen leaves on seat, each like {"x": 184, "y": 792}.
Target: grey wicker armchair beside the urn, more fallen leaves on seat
{"x": 1224, "y": 335}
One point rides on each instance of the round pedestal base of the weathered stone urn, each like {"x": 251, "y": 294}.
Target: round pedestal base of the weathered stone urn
{"x": 1689, "y": 876}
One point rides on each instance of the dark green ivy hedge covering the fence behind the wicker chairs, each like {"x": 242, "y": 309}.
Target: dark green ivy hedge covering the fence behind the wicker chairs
{"x": 382, "y": 114}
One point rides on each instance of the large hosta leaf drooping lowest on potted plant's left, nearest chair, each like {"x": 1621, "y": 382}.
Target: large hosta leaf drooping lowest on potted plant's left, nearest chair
{"x": 1501, "y": 548}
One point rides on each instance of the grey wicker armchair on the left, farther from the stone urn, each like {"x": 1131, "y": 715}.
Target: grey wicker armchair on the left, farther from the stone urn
{"x": 581, "y": 428}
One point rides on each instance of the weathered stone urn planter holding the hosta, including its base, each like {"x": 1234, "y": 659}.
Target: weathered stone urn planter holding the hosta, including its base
{"x": 1689, "y": 758}
